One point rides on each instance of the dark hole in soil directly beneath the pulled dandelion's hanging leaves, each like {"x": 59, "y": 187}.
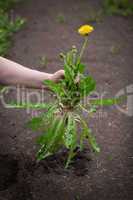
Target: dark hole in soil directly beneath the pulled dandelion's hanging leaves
{"x": 56, "y": 163}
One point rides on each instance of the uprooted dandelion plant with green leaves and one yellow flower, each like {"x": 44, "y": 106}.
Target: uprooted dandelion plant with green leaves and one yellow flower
{"x": 63, "y": 124}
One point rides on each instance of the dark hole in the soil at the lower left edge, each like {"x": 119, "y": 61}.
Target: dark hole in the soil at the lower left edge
{"x": 8, "y": 171}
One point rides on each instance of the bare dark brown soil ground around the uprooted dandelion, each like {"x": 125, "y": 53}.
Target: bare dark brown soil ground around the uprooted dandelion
{"x": 109, "y": 59}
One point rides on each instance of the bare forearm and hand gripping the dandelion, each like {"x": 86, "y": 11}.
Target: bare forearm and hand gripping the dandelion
{"x": 12, "y": 73}
